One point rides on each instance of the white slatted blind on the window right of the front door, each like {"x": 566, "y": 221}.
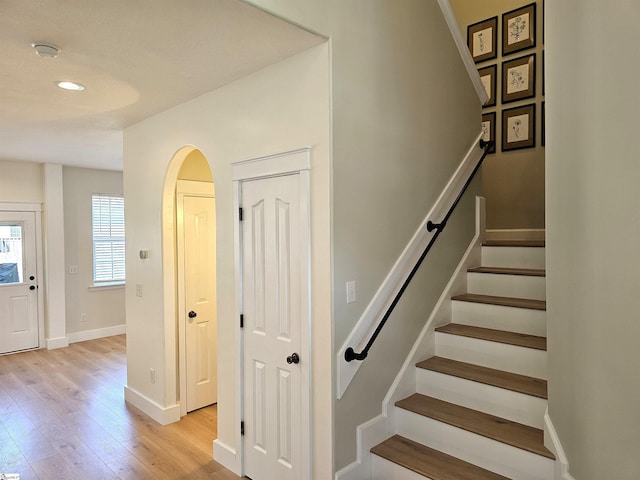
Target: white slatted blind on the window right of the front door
{"x": 108, "y": 238}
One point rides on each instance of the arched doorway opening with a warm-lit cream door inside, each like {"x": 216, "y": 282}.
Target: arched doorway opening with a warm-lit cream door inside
{"x": 190, "y": 273}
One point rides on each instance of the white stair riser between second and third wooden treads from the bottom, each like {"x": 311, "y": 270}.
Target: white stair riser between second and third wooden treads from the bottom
{"x": 514, "y": 406}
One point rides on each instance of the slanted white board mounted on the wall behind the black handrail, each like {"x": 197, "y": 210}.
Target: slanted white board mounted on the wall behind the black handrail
{"x": 400, "y": 271}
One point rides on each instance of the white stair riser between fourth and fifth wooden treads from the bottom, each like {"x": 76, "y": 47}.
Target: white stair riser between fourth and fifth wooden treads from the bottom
{"x": 498, "y": 317}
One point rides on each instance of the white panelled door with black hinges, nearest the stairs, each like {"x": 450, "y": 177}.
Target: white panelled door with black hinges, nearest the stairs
{"x": 275, "y": 258}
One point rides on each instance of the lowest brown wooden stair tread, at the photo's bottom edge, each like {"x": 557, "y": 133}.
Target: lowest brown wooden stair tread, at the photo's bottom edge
{"x": 429, "y": 462}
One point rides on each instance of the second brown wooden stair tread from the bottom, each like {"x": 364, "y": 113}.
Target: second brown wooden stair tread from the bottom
{"x": 500, "y": 429}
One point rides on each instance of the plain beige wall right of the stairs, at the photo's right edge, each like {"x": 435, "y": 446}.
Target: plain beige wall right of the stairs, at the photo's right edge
{"x": 593, "y": 233}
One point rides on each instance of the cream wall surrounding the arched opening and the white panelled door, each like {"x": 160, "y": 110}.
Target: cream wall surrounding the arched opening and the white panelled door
{"x": 280, "y": 108}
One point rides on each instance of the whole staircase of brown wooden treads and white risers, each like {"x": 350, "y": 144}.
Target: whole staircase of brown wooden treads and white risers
{"x": 478, "y": 411}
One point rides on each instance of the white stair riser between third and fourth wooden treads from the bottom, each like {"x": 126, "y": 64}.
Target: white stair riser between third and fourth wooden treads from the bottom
{"x": 510, "y": 358}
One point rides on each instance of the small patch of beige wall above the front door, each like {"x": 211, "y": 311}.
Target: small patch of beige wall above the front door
{"x": 21, "y": 182}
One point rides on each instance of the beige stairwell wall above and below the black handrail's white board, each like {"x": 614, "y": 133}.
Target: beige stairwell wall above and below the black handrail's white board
{"x": 404, "y": 115}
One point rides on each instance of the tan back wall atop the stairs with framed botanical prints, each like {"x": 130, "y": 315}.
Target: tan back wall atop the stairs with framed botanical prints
{"x": 506, "y": 39}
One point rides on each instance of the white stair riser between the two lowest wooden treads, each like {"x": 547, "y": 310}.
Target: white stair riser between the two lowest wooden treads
{"x": 494, "y": 456}
